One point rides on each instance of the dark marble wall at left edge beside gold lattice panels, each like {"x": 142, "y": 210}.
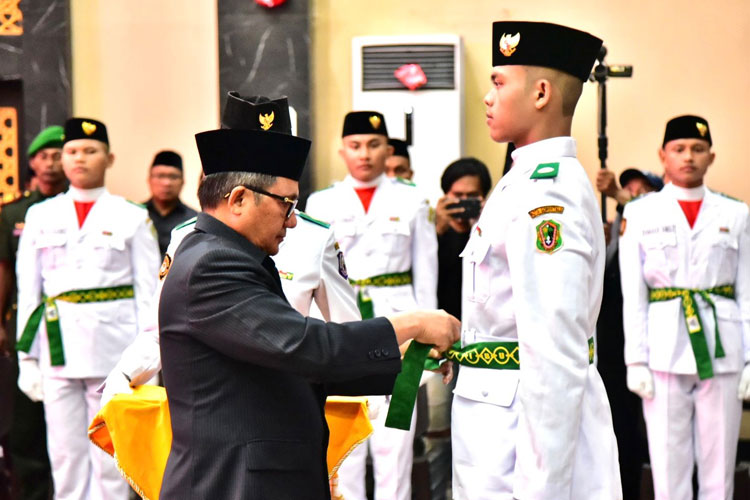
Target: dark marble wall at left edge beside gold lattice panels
{"x": 40, "y": 59}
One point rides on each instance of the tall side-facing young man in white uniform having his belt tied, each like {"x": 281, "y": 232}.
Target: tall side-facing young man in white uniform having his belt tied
{"x": 531, "y": 418}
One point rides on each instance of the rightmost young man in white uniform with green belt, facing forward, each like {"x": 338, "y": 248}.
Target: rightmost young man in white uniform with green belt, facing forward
{"x": 685, "y": 264}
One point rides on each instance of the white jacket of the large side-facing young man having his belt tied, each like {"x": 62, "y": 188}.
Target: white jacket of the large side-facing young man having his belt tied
{"x": 543, "y": 291}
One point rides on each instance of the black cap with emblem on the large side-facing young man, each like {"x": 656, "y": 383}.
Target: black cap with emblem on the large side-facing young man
{"x": 544, "y": 44}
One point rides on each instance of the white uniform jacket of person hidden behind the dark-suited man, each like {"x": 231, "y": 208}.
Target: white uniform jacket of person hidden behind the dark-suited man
{"x": 311, "y": 267}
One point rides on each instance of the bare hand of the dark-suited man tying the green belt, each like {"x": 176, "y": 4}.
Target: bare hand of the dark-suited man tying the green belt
{"x": 436, "y": 328}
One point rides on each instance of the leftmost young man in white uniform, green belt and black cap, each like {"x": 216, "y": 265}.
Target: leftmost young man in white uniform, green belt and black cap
{"x": 87, "y": 263}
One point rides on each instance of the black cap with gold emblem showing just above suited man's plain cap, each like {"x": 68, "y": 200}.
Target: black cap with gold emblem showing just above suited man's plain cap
{"x": 256, "y": 113}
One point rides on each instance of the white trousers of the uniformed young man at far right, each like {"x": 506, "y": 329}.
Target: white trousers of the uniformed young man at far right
{"x": 693, "y": 421}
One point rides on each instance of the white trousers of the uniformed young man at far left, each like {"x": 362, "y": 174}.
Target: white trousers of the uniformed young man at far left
{"x": 80, "y": 470}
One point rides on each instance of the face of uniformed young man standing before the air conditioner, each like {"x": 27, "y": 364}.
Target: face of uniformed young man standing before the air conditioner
{"x": 365, "y": 155}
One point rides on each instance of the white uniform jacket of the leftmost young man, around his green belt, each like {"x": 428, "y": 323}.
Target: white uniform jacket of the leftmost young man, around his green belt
{"x": 116, "y": 246}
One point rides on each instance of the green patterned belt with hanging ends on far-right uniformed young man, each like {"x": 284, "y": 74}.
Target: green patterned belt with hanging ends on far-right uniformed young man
{"x": 693, "y": 320}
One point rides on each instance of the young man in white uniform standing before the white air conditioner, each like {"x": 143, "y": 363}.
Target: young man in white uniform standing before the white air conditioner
{"x": 384, "y": 228}
